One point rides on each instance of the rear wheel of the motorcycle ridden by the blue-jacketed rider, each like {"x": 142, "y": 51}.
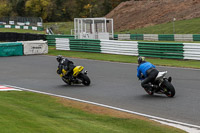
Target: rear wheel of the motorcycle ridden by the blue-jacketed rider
{"x": 168, "y": 89}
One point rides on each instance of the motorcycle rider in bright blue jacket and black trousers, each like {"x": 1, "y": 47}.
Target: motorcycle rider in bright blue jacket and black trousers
{"x": 146, "y": 72}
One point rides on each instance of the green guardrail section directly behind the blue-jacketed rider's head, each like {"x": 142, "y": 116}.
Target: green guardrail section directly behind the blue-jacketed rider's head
{"x": 161, "y": 50}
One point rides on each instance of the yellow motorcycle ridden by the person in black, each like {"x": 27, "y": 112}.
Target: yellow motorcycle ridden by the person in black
{"x": 78, "y": 77}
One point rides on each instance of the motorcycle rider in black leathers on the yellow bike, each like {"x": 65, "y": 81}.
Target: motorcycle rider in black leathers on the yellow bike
{"x": 66, "y": 64}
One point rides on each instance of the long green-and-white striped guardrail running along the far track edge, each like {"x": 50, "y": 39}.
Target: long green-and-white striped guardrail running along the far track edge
{"x": 148, "y": 49}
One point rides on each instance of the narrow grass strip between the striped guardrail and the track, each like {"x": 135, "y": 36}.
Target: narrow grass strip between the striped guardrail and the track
{"x": 125, "y": 58}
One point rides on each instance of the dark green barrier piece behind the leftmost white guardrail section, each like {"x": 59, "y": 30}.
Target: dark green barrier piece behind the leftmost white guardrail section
{"x": 51, "y": 39}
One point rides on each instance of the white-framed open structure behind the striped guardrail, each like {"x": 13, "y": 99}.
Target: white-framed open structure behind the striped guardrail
{"x": 93, "y": 28}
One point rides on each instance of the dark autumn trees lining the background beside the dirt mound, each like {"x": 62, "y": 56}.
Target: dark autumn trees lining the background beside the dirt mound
{"x": 57, "y": 10}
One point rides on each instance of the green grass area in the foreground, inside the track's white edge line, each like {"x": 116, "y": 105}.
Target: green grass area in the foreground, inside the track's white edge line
{"x": 27, "y": 112}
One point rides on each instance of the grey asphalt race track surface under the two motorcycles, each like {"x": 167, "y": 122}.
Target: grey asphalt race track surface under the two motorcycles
{"x": 113, "y": 84}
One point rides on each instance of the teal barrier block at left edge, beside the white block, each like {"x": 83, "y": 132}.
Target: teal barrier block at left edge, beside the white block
{"x": 11, "y": 49}
